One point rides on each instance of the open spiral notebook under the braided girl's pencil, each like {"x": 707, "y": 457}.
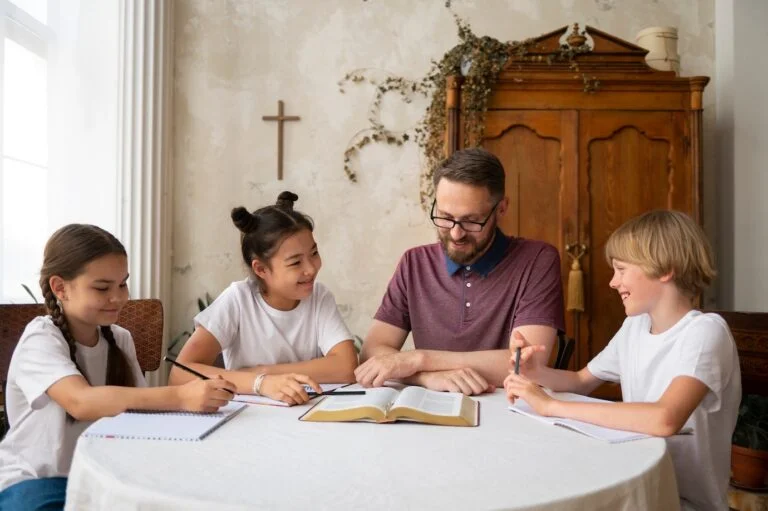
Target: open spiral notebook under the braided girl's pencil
{"x": 186, "y": 426}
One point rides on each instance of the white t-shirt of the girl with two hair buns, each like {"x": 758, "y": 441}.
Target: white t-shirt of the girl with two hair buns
{"x": 251, "y": 332}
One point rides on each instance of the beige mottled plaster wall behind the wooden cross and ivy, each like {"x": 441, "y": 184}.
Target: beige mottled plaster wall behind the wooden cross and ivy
{"x": 235, "y": 59}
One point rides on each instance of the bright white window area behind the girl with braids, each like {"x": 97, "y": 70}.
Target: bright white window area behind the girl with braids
{"x": 58, "y": 137}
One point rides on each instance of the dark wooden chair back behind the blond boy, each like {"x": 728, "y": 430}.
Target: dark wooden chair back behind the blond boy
{"x": 750, "y": 331}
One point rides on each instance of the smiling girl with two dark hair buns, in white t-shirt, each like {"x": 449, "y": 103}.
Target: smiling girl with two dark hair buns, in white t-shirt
{"x": 279, "y": 329}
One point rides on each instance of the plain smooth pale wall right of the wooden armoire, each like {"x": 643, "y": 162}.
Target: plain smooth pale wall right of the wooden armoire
{"x": 742, "y": 148}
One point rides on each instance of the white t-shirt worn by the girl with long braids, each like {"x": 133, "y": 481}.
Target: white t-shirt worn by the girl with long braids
{"x": 41, "y": 440}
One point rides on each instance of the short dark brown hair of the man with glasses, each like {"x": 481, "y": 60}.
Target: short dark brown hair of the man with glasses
{"x": 475, "y": 167}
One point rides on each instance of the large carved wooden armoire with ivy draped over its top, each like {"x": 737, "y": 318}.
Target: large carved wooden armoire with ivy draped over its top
{"x": 586, "y": 147}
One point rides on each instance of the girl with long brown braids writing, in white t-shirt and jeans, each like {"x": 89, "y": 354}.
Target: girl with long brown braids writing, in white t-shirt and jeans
{"x": 75, "y": 366}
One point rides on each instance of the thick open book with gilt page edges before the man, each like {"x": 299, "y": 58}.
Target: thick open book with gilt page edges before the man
{"x": 386, "y": 404}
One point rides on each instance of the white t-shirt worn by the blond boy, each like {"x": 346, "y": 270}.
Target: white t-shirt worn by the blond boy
{"x": 700, "y": 346}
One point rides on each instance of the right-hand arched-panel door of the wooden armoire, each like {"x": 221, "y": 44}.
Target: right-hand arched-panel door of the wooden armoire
{"x": 630, "y": 162}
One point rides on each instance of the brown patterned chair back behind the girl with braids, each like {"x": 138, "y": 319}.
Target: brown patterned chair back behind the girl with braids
{"x": 143, "y": 318}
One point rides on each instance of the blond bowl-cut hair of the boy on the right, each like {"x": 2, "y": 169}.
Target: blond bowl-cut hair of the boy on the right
{"x": 663, "y": 242}
